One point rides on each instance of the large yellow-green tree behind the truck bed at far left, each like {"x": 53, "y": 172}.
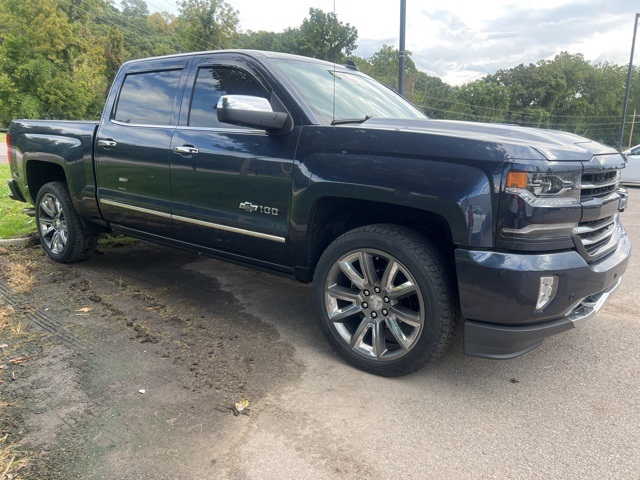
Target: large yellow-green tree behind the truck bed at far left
{"x": 48, "y": 68}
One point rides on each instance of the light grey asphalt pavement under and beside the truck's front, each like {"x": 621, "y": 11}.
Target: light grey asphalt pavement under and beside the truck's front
{"x": 569, "y": 409}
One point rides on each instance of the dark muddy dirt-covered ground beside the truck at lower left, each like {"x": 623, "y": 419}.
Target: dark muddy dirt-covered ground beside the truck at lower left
{"x": 134, "y": 363}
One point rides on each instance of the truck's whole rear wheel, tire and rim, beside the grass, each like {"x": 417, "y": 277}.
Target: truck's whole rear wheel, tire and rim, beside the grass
{"x": 60, "y": 230}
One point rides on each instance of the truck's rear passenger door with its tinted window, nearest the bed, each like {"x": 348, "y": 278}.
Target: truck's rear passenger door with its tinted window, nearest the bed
{"x": 133, "y": 146}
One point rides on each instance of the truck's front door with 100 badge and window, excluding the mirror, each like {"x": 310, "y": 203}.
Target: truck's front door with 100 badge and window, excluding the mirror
{"x": 232, "y": 187}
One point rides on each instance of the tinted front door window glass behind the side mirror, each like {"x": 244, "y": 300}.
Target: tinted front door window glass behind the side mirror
{"x": 211, "y": 84}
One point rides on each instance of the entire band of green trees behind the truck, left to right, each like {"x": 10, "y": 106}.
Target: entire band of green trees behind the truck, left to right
{"x": 58, "y": 57}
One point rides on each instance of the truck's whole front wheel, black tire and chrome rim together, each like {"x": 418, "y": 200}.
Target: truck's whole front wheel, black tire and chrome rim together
{"x": 385, "y": 300}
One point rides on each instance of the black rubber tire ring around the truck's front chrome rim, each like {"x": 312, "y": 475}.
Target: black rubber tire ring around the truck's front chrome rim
{"x": 435, "y": 286}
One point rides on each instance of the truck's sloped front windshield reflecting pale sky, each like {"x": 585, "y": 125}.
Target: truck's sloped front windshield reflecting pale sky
{"x": 357, "y": 97}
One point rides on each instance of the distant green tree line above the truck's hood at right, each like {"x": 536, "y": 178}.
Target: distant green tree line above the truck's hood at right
{"x": 566, "y": 93}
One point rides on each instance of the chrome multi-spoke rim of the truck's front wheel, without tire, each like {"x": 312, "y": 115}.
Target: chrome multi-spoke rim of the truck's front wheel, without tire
{"x": 374, "y": 304}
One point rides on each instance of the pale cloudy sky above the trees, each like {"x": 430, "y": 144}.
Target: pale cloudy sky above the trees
{"x": 462, "y": 40}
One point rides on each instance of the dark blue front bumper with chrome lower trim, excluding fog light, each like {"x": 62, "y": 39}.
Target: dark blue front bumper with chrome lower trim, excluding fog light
{"x": 498, "y": 294}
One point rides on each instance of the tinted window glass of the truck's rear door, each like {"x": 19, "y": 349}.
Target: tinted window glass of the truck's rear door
{"x": 148, "y": 98}
